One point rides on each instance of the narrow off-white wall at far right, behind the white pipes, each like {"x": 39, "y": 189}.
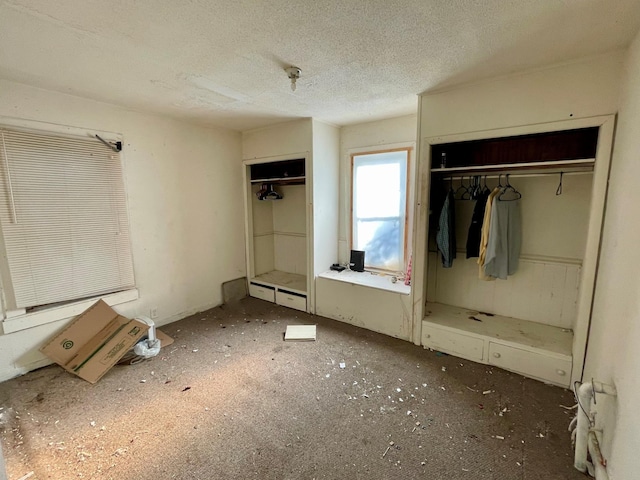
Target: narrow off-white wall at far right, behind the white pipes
{"x": 612, "y": 354}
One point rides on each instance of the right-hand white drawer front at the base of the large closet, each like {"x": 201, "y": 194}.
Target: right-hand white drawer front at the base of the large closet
{"x": 535, "y": 365}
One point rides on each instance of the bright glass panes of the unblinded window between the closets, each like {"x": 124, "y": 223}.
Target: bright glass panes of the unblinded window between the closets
{"x": 379, "y": 206}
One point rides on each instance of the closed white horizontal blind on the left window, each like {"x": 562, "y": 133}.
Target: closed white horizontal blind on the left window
{"x": 63, "y": 218}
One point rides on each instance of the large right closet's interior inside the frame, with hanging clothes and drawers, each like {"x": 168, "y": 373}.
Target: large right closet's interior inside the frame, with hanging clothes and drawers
{"x": 508, "y": 226}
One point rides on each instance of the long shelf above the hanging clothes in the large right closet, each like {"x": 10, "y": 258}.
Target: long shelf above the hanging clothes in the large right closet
{"x": 581, "y": 165}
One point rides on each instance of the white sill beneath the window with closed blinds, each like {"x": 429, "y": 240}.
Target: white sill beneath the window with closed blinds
{"x": 35, "y": 319}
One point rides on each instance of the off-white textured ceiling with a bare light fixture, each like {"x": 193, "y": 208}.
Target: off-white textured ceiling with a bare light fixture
{"x": 221, "y": 62}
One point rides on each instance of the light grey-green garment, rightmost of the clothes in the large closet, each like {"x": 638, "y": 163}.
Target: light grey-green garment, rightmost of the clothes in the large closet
{"x": 505, "y": 239}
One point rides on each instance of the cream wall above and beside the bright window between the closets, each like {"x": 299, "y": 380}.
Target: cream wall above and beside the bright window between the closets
{"x": 374, "y": 135}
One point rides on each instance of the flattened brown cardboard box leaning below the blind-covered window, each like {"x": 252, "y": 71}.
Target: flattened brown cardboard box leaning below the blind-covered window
{"x": 94, "y": 342}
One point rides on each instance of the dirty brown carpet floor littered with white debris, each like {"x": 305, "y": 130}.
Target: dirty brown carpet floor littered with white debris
{"x": 231, "y": 400}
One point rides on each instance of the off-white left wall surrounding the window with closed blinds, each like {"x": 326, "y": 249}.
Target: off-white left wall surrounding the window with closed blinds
{"x": 185, "y": 202}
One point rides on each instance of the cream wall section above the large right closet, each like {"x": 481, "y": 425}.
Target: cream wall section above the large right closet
{"x": 580, "y": 89}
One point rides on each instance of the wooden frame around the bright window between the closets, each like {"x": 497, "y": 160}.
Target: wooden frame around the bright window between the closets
{"x": 369, "y": 151}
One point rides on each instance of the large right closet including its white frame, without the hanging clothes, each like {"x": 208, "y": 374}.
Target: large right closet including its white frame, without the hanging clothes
{"x": 535, "y": 322}
